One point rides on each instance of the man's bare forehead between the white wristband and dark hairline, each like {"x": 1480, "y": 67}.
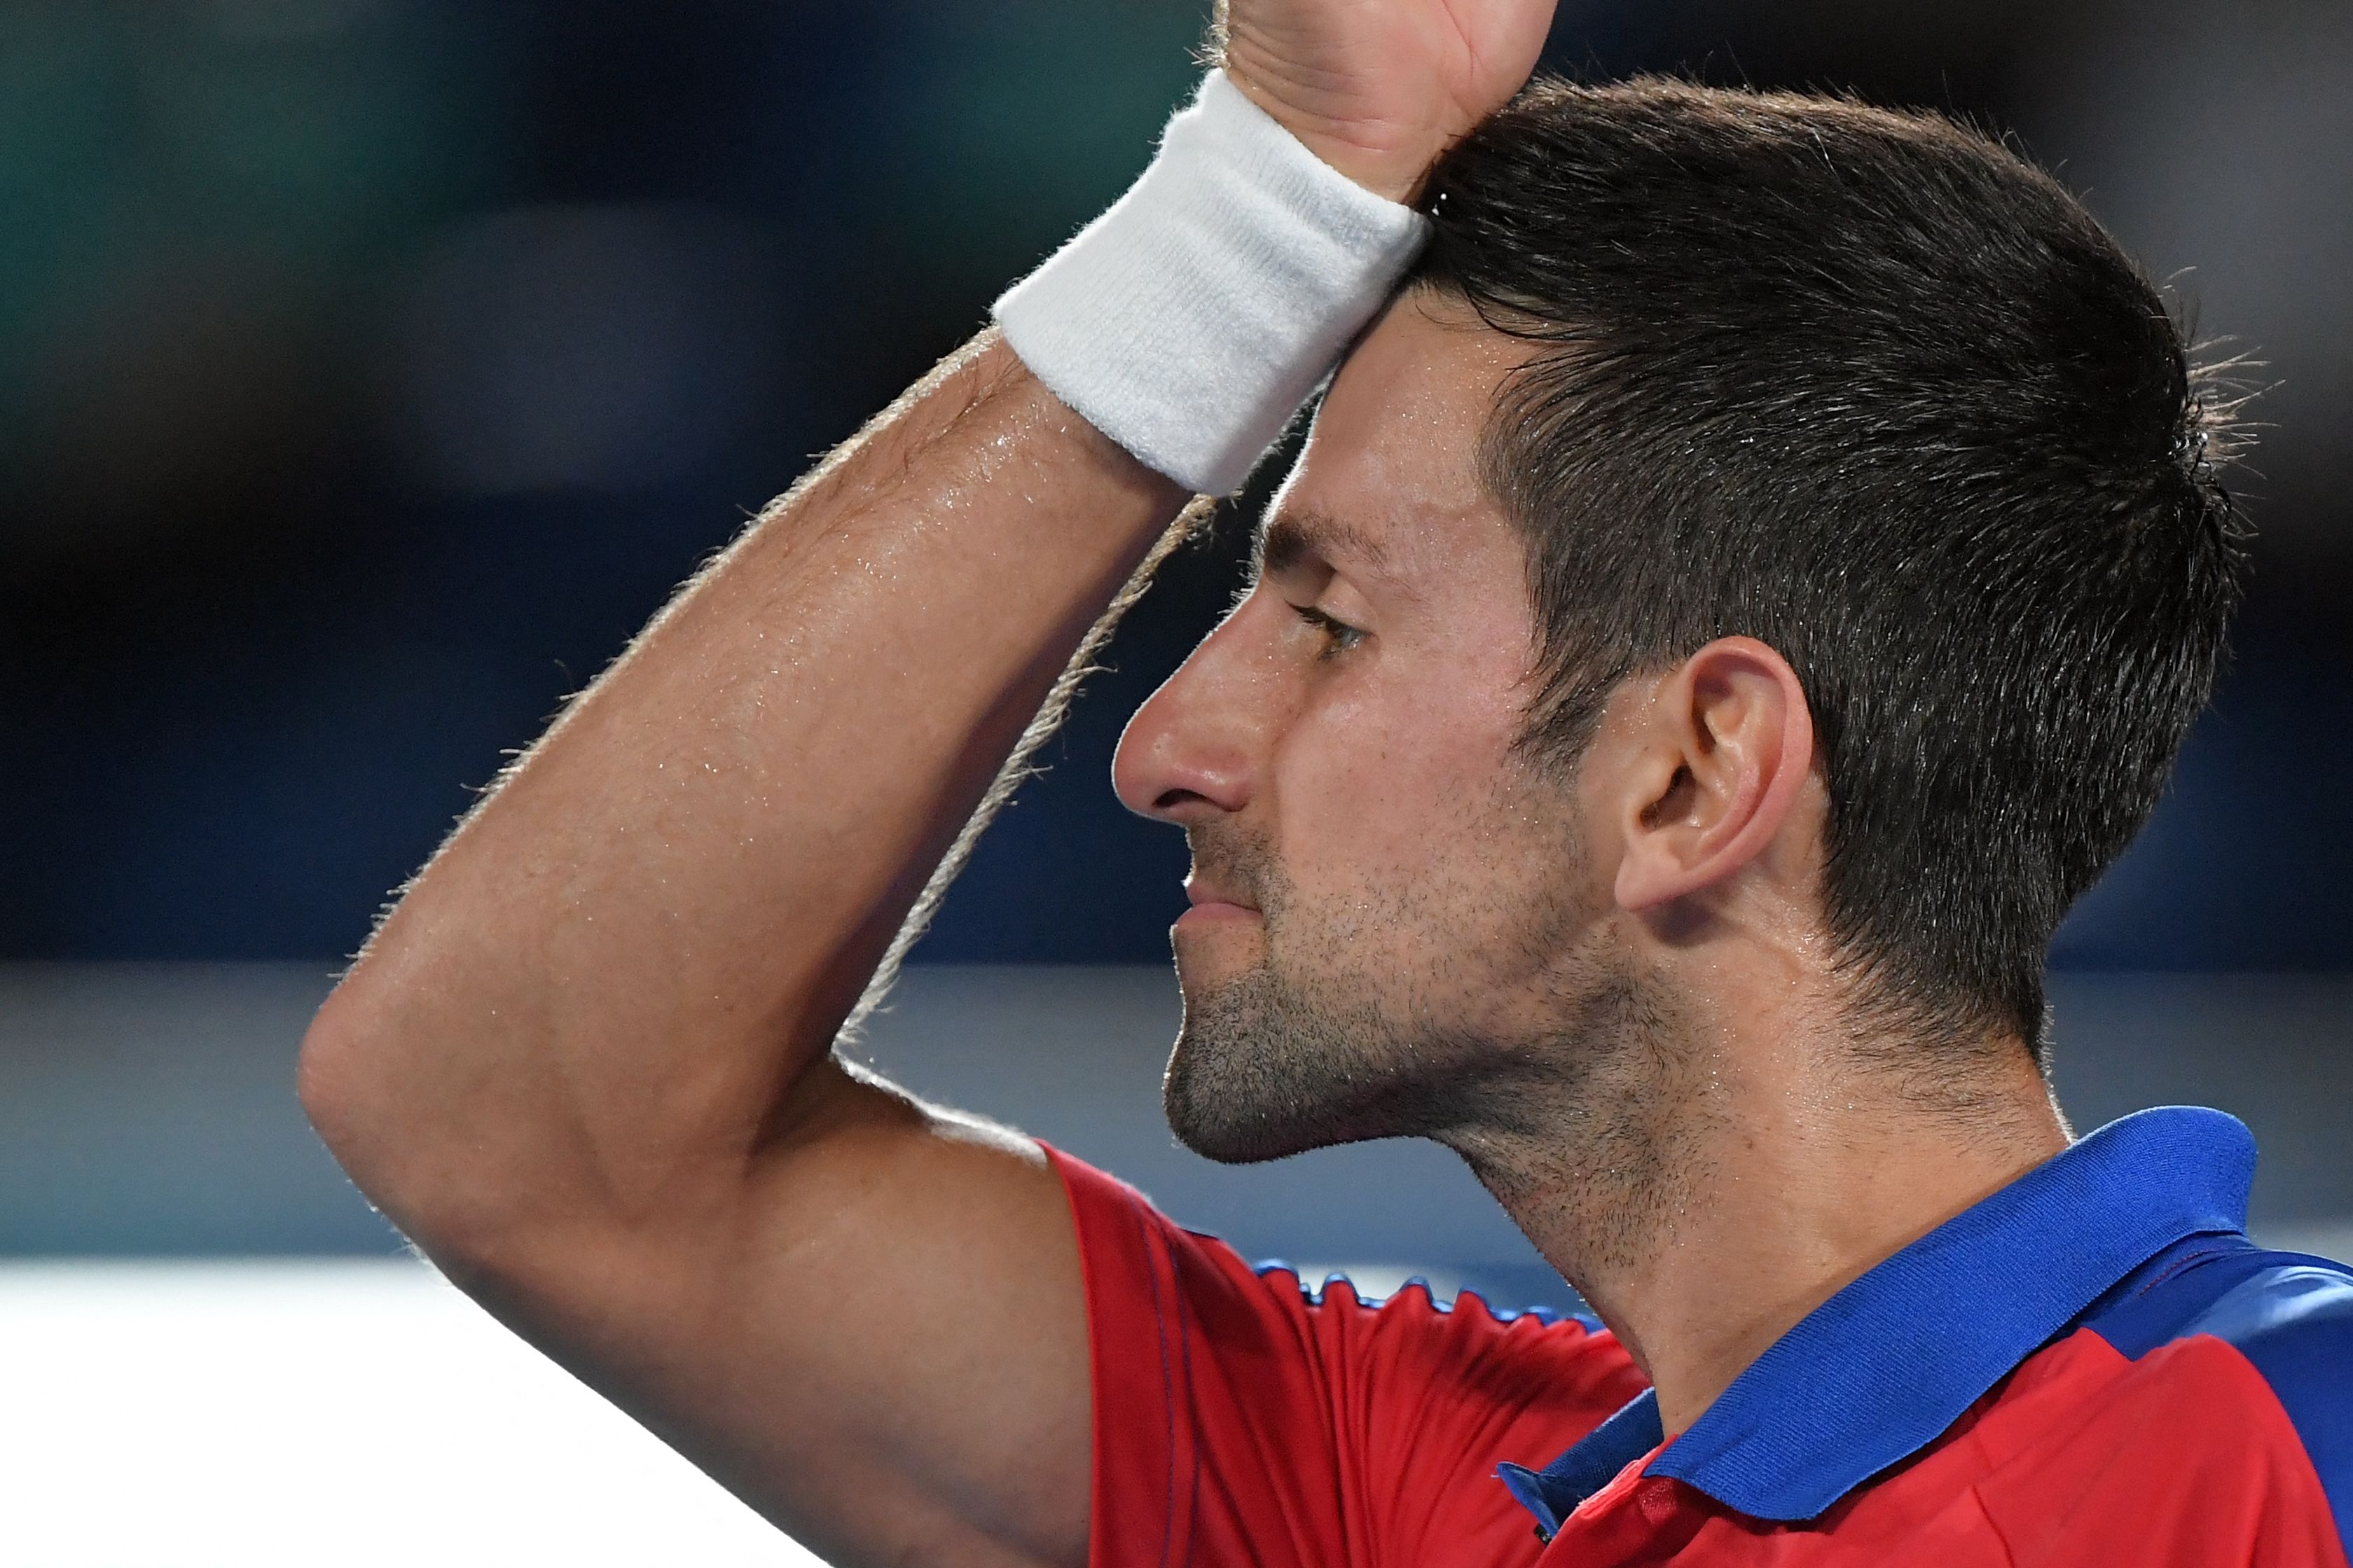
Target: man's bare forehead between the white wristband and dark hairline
{"x": 1389, "y": 478}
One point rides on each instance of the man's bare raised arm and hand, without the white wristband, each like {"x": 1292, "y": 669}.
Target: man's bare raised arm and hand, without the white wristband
{"x": 585, "y": 1064}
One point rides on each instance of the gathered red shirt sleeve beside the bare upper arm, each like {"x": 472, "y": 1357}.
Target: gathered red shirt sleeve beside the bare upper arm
{"x": 1244, "y": 1421}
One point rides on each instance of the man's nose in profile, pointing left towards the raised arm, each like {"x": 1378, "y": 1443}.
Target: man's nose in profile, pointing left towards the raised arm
{"x": 1197, "y": 746}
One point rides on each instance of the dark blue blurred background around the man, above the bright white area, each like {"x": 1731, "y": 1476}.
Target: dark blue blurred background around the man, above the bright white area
{"x": 371, "y": 370}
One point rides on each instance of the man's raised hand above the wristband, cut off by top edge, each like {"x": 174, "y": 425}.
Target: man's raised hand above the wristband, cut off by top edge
{"x": 1380, "y": 88}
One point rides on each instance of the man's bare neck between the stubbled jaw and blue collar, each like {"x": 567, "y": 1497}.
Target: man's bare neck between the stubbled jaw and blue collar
{"x": 1714, "y": 1181}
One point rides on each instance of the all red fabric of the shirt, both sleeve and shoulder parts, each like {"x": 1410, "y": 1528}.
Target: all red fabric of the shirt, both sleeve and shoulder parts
{"x": 1239, "y": 1423}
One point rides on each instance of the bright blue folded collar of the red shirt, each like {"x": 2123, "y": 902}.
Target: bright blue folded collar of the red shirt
{"x": 1881, "y": 1369}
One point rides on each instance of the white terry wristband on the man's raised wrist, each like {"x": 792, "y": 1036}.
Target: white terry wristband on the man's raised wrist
{"x": 1194, "y": 319}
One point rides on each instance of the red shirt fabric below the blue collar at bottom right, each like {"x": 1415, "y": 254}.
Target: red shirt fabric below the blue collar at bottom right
{"x": 2081, "y": 1456}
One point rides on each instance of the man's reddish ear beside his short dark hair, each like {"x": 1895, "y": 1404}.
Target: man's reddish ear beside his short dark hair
{"x": 1712, "y": 770}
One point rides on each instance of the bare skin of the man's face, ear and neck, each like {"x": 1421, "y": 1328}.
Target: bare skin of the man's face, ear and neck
{"x": 1611, "y": 993}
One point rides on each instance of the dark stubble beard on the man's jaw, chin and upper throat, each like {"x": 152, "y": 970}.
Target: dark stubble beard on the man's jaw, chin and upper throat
{"x": 1585, "y": 1108}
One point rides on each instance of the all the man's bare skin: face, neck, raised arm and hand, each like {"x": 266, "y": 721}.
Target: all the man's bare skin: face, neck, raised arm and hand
{"x": 587, "y": 1066}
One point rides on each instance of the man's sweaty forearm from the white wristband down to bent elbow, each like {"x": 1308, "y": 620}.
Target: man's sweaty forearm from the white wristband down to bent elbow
{"x": 611, "y": 977}
